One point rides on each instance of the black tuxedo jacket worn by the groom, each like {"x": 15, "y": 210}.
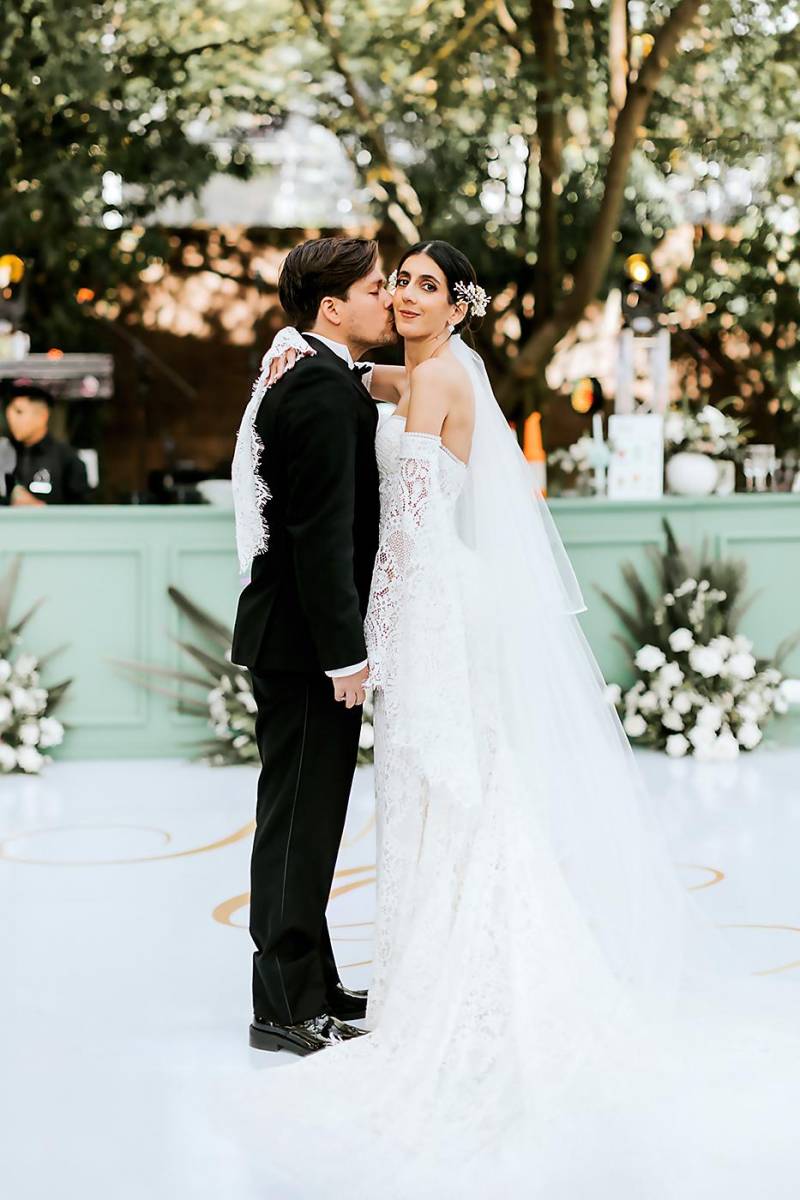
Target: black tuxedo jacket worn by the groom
{"x": 305, "y": 605}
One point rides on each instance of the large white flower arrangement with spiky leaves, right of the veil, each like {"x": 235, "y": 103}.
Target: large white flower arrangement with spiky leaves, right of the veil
{"x": 701, "y": 689}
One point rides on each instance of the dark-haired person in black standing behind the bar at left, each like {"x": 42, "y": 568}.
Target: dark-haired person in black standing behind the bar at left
{"x": 49, "y": 471}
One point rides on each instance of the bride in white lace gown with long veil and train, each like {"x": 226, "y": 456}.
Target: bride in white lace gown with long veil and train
{"x": 550, "y": 1015}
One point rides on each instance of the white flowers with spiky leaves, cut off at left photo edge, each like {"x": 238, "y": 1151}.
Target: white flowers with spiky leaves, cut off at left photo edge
{"x": 27, "y": 724}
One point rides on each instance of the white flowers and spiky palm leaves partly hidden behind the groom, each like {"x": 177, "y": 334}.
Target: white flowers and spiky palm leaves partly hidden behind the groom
{"x": 224, "y": 693}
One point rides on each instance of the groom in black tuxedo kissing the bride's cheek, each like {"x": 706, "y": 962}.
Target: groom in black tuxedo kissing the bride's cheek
{"x": 299, "y": 631}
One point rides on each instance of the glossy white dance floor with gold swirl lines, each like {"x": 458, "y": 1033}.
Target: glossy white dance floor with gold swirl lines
{"x": 125, "y": 953}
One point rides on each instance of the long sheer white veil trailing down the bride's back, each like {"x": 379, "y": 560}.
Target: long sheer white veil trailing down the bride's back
{"x": 568, "y": 740}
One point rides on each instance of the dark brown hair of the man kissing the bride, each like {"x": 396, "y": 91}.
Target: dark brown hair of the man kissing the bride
{"x": 323, "y": 267}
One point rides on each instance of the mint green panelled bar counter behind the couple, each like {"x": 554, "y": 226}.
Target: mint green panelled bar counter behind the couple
{"x": 105, "y": 573}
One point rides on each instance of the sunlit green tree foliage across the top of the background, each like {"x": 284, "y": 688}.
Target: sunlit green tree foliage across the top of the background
{"x": 441, "y": 106}
